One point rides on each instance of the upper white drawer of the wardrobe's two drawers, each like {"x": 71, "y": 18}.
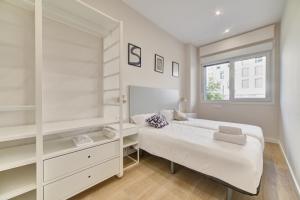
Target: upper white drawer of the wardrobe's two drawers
{"x": 66, "y": 164}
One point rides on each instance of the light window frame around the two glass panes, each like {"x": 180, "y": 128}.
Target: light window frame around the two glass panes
{"x": 269, "y": 79}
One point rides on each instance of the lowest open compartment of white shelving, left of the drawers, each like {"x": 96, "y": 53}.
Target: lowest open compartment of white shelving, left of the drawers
{"x": 17, "y": 181}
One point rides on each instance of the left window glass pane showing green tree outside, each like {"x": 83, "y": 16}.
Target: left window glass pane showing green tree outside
{"x": 217, "y": 82}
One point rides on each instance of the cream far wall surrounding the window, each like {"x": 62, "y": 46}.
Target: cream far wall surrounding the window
{"x": 264, "y": 115}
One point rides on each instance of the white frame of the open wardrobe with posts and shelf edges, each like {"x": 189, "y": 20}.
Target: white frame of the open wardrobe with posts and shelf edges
{"x": 37, "y": 131}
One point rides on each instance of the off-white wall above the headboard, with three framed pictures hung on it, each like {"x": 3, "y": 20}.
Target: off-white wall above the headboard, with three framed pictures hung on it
{"x": 151, "y": 39}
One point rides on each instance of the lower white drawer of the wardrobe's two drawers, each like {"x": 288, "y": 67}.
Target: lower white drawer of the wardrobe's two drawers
{"x": 72, "y": 185}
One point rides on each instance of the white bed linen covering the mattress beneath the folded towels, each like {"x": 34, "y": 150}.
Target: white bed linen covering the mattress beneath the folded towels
{"x": 240, "y": 166}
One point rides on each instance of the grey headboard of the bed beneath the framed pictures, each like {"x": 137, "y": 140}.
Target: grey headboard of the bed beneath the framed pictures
{"x": 149, "y": 100}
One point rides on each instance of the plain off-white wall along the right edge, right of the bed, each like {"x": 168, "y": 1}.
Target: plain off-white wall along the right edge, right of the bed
{"x": 290, "y": 90}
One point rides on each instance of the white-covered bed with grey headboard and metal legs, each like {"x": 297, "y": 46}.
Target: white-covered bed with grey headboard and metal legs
{"x": 191, "y": 143}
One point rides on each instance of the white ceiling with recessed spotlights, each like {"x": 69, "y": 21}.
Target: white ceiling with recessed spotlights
{"x": 195, "y": 21}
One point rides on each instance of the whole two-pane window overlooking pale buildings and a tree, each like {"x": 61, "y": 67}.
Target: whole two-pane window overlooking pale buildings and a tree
{"x": 246, "y": 79}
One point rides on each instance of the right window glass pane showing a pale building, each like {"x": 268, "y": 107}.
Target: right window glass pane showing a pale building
{"x": 255, "y": 84}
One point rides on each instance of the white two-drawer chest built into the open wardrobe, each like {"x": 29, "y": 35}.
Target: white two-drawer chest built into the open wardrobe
{"x": 69, "y": 174}
